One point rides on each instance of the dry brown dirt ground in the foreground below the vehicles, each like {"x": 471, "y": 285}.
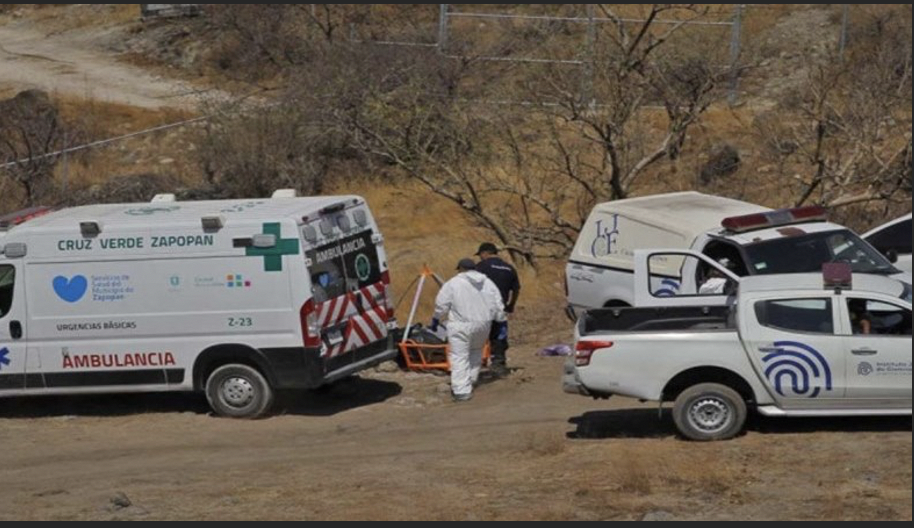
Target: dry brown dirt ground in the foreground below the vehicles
{"x": 390, "y": 445}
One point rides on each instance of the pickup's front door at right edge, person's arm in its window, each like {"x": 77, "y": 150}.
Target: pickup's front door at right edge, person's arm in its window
{"x": 878, "y": 351}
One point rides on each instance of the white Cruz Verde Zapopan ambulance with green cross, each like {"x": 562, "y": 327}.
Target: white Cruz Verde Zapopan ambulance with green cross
{"x": 236, "y": 298}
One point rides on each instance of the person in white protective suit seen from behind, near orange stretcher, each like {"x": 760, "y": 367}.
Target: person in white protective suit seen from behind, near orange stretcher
{"x": 471, "y": 302}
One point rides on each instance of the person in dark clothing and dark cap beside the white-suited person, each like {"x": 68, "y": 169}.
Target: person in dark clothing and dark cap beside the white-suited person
{"x": 505, "y": 278}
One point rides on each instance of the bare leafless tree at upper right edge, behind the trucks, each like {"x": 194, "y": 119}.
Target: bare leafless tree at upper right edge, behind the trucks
{"x": 846, "y": 133}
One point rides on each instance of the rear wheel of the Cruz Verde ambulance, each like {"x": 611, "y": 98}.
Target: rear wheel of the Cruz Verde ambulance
{"x": 238, "y": 391}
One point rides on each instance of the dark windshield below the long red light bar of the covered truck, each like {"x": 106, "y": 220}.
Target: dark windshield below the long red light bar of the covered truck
{"x": 807, "y": 253}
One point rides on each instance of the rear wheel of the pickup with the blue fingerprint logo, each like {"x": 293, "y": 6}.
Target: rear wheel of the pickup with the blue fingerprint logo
{"x": 708, "y": 412}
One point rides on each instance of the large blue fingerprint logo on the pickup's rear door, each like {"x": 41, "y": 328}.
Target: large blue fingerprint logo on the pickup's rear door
{"x": 798, "y": 368}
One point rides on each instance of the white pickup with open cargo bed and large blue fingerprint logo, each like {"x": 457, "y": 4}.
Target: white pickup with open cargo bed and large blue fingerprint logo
{"x": 789, "y": 345}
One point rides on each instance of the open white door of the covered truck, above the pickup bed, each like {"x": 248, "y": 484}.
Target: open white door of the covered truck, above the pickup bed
{"x": 656, "y": 269}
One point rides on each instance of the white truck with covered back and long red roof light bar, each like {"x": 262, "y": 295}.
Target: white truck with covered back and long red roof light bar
{"x": 754, "y": 240}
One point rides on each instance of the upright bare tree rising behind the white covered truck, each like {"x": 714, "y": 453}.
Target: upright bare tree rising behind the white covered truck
{"x": 638, "y": 77}
